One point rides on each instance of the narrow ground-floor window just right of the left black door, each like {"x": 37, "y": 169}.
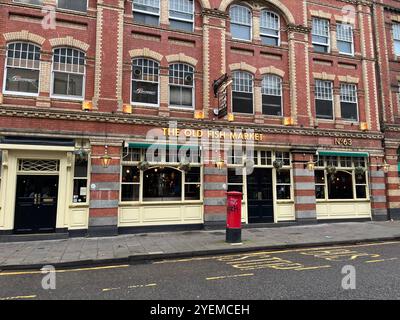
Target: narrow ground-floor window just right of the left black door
{"x": 80, "y": 180}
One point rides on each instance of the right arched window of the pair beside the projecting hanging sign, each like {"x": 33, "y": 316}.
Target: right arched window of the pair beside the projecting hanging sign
{"x": 271, "y": 89}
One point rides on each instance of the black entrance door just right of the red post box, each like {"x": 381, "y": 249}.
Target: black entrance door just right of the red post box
{"x": 260, "y": 196}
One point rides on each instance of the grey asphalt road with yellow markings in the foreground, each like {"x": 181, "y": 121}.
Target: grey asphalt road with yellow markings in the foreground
{"x": 312, "y": 273}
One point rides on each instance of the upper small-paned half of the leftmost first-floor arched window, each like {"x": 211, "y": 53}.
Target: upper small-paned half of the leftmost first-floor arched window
{"x": 23, "y": 55}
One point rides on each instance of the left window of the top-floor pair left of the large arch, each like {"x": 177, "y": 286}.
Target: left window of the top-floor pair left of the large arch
{"x": 146, "y": 11}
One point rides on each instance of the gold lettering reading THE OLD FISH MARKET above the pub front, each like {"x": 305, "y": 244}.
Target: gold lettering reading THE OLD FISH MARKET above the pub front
{"x": 213, "y": 134}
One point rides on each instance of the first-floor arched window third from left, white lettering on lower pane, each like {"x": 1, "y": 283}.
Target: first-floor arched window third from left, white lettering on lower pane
{"x": 145, "y": 81}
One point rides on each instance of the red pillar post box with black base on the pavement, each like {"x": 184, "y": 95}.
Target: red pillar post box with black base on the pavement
{"x": 234, "y": 217}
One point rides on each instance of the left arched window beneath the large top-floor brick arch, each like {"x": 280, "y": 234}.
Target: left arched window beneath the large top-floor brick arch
{"x": 240, "y": 22}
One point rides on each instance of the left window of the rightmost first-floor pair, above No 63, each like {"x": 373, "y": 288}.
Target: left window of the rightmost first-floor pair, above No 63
{"x": 324, "y": 99}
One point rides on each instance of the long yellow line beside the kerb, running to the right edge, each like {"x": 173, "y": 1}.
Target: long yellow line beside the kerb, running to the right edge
{"x": 276, "y": 252}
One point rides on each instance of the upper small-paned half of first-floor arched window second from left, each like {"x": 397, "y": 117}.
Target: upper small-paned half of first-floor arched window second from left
{"x": 69, "y": 60}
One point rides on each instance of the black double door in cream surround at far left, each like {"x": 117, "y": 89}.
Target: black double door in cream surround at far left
{"x": 36, "y": 204}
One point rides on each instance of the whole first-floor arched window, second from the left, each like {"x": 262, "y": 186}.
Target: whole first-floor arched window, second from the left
{"x": 68, "y": 73}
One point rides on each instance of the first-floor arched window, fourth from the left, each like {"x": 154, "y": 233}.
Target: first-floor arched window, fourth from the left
{"x": 181, "y": 85}
